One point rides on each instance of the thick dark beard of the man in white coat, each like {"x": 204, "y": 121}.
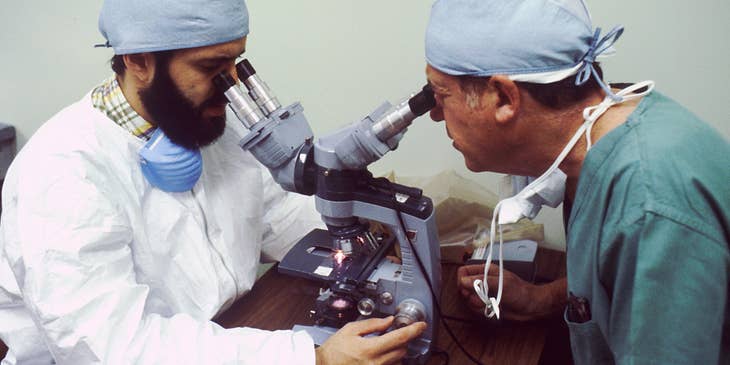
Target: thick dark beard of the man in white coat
{"x": 177, "y": 116}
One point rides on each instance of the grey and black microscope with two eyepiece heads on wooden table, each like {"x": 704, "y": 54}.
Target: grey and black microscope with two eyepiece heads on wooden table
{"x": 349, "y": 259}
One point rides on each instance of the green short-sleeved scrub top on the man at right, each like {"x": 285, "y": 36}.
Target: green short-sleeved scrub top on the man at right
{"x": 647, "y": 242}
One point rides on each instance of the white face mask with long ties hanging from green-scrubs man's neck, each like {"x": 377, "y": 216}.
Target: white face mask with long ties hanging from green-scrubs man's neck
{"x": 548, "y": 189}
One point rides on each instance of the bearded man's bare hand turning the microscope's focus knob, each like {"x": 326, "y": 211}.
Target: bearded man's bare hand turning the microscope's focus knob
{"x": 347, "y": 346}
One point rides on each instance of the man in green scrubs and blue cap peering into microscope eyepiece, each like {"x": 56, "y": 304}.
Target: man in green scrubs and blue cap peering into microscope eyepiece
{"x": 645, "y": 183}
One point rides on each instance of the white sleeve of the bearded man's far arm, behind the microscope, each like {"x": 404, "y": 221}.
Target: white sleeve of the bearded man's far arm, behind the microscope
{"x": 287, "y": 218}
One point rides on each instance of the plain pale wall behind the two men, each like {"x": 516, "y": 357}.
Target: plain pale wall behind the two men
{"x": 342, "y": 58}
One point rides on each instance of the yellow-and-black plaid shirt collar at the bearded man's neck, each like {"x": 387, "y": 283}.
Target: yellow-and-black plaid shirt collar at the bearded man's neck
{"x": 109, "y": 99}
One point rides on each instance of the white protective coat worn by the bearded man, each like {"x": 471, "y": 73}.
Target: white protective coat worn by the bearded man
{"x": 97, "y": 266}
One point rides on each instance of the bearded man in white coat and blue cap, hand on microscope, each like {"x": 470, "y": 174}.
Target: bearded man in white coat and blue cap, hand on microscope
{"x": 131, "y": 218}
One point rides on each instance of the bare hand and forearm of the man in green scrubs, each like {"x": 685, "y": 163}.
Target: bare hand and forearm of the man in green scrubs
{"x": 521, "y": 300}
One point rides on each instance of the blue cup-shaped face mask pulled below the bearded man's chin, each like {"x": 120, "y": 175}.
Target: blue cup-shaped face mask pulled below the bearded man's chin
{"x": 169, "y": 167}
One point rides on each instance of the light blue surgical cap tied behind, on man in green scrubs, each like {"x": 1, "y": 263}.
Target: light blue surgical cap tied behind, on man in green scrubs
{"x": 539, "y": 41}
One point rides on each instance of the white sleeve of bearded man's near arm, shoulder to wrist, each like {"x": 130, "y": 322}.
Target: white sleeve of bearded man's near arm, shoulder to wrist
{"x": 72, "y": 259}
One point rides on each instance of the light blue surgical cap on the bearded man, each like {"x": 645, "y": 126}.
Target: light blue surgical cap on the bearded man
{"x": 136, "y": 26}
